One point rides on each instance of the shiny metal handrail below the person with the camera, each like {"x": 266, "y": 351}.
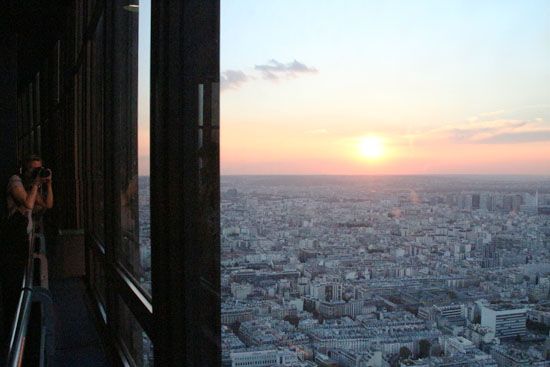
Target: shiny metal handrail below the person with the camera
{"x": 30, "y": 293}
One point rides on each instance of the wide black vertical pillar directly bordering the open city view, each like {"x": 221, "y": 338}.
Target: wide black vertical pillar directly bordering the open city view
{"x": 185, "y": 182}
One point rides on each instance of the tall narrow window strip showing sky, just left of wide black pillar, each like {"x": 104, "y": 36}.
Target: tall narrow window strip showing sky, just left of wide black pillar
{"x": 134, "y": 250}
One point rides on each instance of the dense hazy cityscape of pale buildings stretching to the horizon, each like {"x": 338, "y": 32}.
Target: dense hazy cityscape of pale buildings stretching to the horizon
{"x": 385, "y": 271}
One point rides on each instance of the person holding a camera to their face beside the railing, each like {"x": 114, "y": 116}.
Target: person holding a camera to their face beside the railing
{"x": 29, "y": 194}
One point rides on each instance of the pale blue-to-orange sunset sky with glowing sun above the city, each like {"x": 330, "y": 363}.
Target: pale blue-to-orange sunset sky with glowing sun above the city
{"x": 385, "y": 87}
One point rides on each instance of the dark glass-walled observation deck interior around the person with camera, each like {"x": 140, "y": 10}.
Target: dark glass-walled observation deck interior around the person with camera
{"x": 109, "y": 285}
